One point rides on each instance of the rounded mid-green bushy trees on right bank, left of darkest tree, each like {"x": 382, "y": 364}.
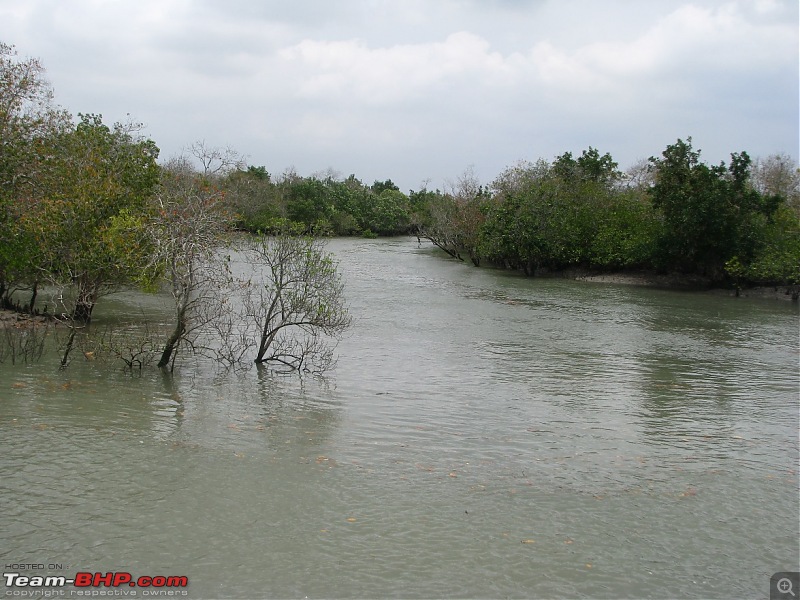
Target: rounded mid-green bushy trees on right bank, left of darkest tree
{"x": 564, "y": 215}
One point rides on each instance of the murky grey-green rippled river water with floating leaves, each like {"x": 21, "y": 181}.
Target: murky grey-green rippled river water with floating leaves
{"x": 484, "y": 435}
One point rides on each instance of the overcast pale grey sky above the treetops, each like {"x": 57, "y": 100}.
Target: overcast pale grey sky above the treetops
{"x": 420, "y": 90}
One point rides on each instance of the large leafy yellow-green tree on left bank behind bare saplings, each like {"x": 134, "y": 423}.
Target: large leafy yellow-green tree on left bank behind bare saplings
{"x": 97, "y": 188}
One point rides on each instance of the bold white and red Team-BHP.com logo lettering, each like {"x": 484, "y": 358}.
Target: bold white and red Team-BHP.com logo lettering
{"x": 153, "y": 583}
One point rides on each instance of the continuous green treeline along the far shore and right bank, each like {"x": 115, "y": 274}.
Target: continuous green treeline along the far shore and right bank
{"x": 736, "y": 223}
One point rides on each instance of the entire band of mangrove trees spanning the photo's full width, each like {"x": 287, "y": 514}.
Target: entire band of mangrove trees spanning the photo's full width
{"x": 87, "y": 209}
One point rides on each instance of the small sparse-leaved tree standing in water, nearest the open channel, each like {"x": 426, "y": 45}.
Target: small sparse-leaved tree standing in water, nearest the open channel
{"x": 298, "y": 307}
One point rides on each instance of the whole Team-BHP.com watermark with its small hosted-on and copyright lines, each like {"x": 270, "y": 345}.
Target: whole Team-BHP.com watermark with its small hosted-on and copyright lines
{"x": 58, "y": 580}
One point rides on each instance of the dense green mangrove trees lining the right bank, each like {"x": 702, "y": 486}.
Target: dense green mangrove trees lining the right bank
{"x": 737, "y": 223}
